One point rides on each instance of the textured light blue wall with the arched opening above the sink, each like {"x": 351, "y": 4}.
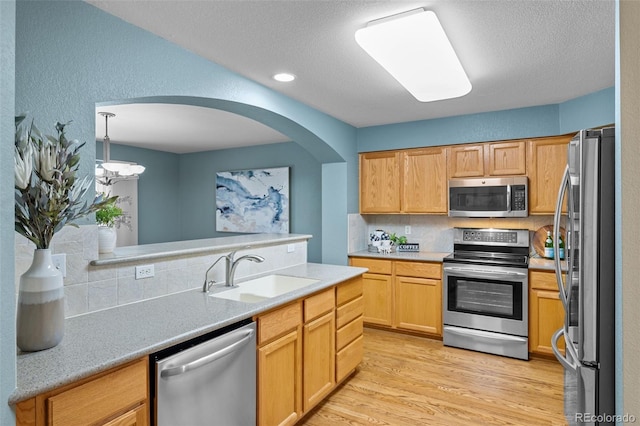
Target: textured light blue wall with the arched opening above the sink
{"x": 66, "y": 68}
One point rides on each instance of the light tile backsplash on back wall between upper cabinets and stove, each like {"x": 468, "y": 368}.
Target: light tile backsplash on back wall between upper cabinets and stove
{"x": 433, "y": 233}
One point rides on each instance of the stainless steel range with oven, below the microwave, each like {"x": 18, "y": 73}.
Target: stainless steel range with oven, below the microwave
{"x": 485, "y": 294}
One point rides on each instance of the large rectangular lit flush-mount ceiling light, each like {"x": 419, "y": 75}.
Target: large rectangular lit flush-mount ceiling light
{"x": 414, "y": 49}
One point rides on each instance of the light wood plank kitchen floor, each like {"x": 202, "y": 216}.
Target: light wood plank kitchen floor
{"x": 407, "y": 380}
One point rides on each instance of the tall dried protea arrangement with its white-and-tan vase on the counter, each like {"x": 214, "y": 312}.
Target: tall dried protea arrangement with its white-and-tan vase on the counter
{"x": 48, "y": 196}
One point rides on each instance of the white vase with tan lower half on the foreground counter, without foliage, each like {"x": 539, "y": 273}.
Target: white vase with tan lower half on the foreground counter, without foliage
{"x": 40, "y": 317}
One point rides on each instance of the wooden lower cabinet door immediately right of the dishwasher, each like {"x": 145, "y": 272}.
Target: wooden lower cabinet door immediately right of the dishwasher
{"x": 280, "y": 380}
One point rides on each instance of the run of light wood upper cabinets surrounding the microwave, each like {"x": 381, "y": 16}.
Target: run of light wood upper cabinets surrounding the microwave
{"x": 416, "y": 180}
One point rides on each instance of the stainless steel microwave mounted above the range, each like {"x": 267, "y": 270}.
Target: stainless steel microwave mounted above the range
{"x": 489, "y": 197}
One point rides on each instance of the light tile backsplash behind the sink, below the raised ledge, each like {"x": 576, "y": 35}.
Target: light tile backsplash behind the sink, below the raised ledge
{"x": 91, "y": 288}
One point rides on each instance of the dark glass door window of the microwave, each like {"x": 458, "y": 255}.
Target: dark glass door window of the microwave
{"x": 478, "y": 199}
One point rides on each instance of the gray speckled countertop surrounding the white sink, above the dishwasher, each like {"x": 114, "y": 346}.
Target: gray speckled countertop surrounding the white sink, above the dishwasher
{"x": 101, "y": 340}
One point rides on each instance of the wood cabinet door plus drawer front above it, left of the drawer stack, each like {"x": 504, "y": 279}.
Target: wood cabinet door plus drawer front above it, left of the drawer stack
{"x": 318, "y": 348}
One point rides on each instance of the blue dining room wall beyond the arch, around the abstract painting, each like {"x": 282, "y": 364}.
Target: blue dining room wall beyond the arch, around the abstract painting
{"x": 177, "y": 191}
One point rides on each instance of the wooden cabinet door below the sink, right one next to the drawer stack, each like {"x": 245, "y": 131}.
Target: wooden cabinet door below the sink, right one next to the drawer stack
{"x": 319, "y": 360}
